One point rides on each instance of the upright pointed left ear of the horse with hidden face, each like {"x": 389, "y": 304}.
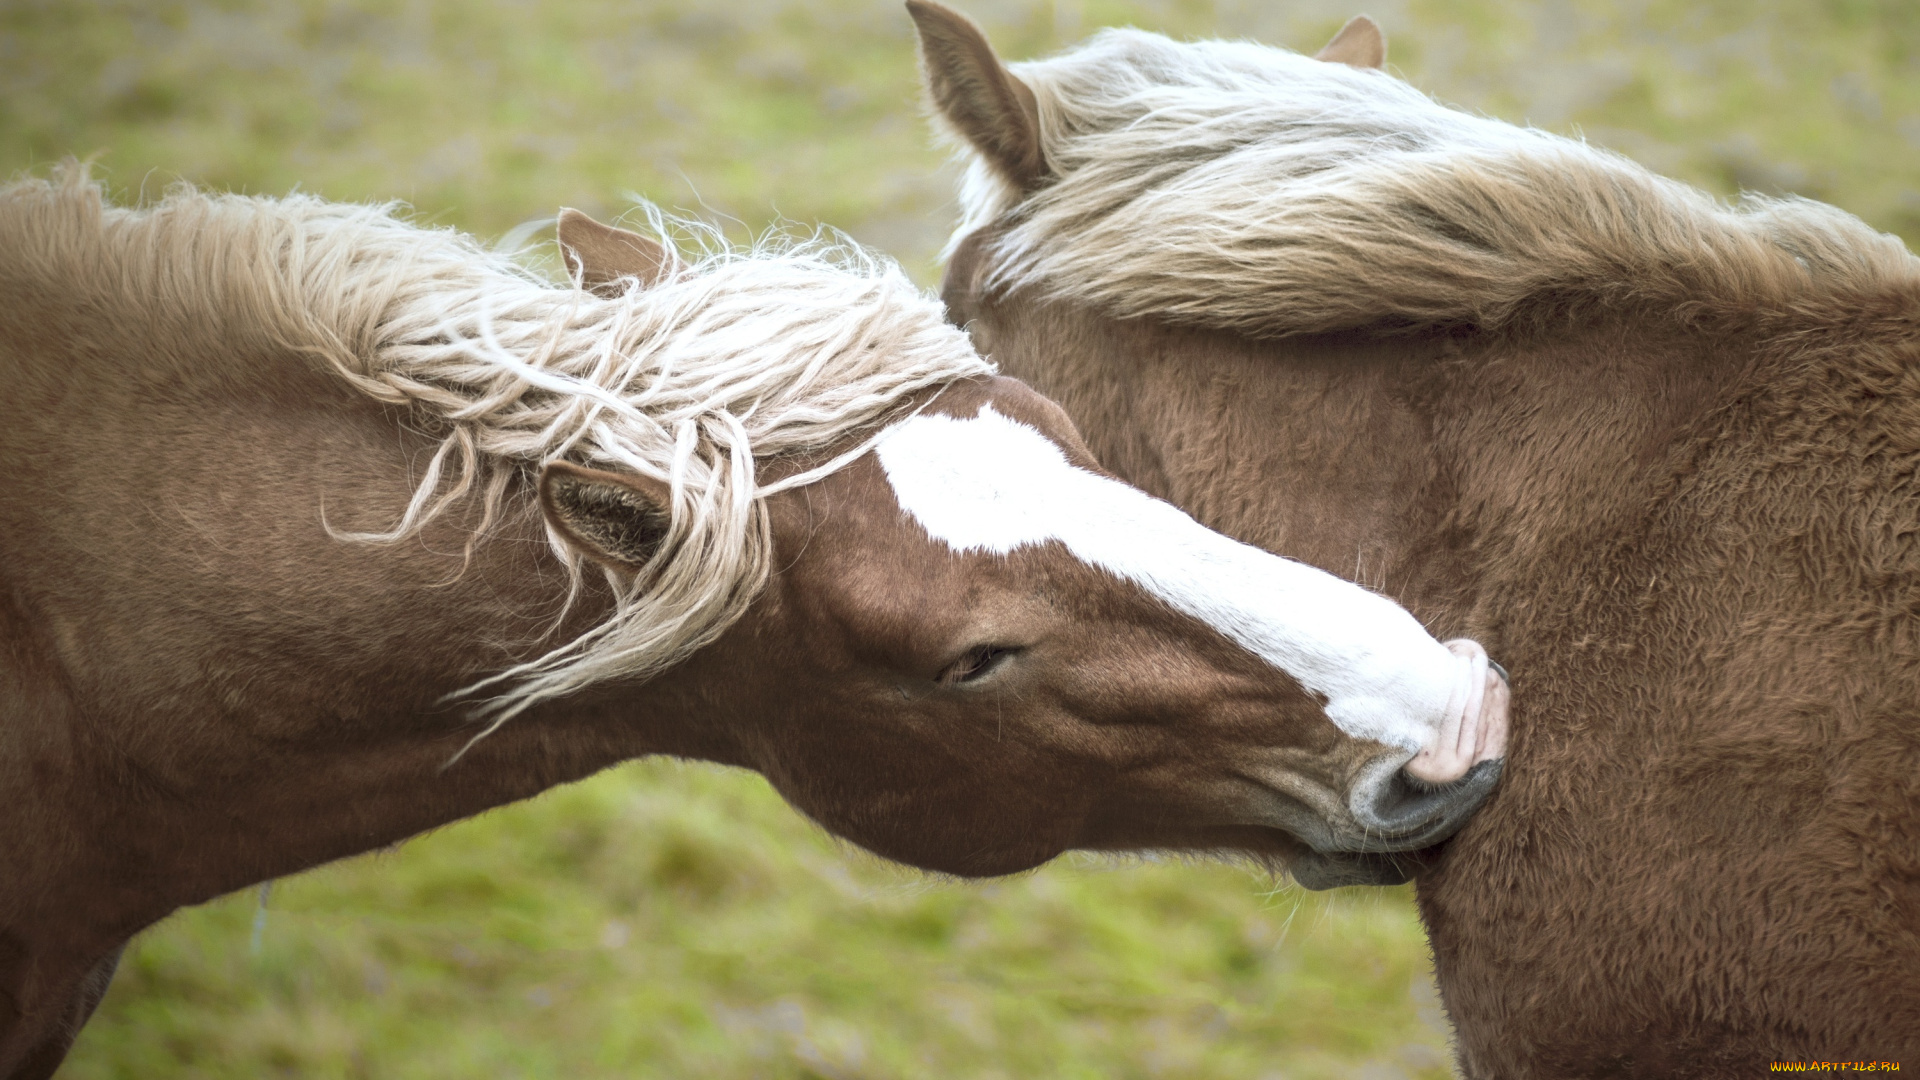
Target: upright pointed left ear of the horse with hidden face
{"x": 978, "y": 95}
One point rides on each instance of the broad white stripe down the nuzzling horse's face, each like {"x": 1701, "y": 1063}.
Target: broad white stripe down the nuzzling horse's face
{"x": 996, "y": 485}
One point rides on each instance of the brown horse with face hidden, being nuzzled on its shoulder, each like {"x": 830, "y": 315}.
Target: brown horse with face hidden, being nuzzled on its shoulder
{"x": 1658, "y": 453}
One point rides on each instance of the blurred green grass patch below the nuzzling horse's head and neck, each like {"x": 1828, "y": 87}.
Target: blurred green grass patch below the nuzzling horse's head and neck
{"x": 681, "y": 921}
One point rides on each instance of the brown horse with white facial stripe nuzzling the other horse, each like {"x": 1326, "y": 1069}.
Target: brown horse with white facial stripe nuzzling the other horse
{"x": 322, "y": 529}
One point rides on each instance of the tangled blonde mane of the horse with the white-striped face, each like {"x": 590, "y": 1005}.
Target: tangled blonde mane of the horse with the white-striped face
{"x": 750, "y": 355}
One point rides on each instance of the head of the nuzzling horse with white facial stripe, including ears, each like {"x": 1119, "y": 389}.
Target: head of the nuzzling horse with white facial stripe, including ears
{"x": 980, "y": 650}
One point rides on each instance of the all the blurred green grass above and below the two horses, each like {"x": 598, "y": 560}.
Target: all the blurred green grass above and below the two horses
{"x": 679, "y": 921}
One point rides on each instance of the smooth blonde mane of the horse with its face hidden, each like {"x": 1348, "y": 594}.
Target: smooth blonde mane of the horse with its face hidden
{"x": 1253, "y": 189}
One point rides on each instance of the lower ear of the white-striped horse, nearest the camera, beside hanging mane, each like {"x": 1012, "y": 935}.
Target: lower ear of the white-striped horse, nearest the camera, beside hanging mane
{"x": 613, "y": 518}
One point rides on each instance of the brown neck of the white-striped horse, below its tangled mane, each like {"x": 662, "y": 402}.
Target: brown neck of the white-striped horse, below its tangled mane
{"x": 212, "y": 689}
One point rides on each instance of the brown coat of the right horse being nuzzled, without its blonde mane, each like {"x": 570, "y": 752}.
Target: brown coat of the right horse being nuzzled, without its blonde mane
{"x": 1691, "y": 526}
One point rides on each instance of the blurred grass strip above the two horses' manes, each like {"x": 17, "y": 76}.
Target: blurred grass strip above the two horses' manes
{"x": 492, "y": 114}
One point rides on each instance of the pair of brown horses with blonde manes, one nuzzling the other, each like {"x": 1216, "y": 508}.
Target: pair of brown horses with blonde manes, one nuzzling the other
{"x": 324, "y": 529}
